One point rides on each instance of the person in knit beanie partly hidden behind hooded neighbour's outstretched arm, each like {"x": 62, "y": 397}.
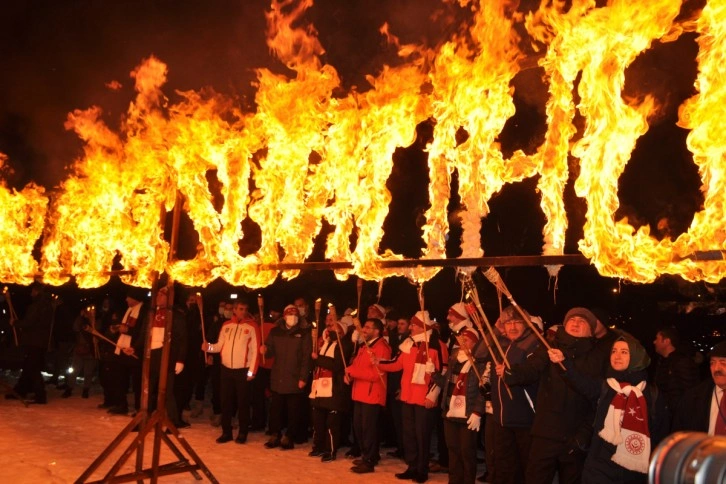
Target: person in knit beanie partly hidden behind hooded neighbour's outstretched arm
{"x": 513, "y": 416}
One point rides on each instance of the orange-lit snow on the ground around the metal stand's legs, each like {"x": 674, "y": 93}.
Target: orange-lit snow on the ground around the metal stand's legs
{"x": 55, "y": 443}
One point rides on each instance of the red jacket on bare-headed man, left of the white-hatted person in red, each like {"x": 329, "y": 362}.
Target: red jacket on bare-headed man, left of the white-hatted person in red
{"x": 367, "y": 385}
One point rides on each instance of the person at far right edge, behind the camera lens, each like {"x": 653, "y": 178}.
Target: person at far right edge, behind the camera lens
{"x": 703, "y": 409}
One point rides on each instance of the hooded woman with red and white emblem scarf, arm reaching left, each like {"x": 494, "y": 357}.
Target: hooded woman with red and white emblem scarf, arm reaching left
{"x": 630, "y": 419}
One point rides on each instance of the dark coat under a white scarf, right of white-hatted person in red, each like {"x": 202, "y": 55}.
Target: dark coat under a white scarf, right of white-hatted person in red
{"x": 475, "y": 401}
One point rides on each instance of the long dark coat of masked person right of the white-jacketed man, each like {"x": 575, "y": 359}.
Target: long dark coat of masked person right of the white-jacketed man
{"x": 292, "y": 349}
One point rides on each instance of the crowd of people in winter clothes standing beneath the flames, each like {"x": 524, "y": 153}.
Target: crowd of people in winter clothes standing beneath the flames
{"x": 579, "y": 402}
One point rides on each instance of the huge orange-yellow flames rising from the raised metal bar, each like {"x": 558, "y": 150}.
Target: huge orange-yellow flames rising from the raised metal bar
{"x": 310, "y": 153}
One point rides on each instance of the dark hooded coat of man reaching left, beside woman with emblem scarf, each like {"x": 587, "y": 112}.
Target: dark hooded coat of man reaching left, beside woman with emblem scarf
{"x": 563, "y": 413}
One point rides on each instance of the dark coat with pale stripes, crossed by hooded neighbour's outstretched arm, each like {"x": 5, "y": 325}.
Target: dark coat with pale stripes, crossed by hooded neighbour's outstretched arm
{"x": 515, "y": 411}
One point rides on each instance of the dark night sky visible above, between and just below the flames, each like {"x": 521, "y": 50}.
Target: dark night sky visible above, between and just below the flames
{"x": 58, "y": 56}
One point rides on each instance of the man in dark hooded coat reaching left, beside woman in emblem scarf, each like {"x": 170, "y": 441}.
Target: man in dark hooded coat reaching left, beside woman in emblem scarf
{"x": 562, "y": 426}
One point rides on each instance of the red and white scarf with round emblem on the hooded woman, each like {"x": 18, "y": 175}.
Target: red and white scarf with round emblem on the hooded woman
{"x": 626, "y": 426}
